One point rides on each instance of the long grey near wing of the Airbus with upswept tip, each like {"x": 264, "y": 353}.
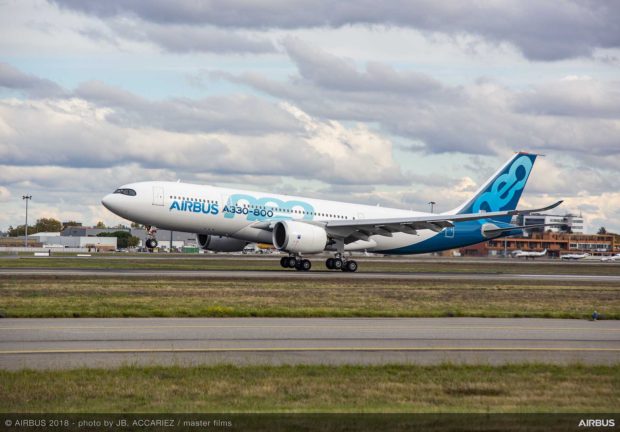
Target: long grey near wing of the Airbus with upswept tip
{"x": 360, "y": 229}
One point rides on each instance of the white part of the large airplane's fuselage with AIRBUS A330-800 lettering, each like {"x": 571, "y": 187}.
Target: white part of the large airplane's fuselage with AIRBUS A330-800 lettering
{"x": 229, "y": 212}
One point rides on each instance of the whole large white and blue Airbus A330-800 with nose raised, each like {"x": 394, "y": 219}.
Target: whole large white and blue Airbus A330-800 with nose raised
{"x": 226, "y": 220}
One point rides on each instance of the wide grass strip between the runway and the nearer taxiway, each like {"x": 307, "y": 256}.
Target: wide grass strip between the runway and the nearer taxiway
{"x": 69, "y": 296}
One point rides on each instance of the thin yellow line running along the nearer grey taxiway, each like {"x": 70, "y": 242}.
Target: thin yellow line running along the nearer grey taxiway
{"x": 300, "y": 349}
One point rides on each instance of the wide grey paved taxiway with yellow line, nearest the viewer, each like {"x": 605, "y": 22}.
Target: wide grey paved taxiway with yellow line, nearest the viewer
{"x": 68, "y": 343}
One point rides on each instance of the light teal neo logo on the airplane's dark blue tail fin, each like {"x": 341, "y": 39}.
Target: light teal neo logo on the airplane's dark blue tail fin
{"x": 505, "y": 190}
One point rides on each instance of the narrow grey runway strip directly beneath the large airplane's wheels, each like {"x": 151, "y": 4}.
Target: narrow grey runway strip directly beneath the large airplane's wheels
{"x": 313, "y": 274}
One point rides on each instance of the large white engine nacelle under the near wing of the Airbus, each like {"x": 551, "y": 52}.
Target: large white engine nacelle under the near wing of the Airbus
{"x": 299, "y": 237}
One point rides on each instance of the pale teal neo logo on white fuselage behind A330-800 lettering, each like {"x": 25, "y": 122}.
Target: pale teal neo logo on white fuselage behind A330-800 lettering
{"x": 259, "y": 209}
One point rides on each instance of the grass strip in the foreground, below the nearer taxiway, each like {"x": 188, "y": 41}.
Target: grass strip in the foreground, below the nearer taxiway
{"x": 391, "y": 388}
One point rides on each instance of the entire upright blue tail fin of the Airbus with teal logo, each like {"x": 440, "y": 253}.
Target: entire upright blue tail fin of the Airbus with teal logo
{"x": 503, "y": 190}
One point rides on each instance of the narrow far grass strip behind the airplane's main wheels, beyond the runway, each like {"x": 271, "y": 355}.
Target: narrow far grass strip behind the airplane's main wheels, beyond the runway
{"x": 210, "y": 262}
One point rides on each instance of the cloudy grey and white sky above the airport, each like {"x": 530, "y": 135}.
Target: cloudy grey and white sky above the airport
{"x": 395, "y": 105}
